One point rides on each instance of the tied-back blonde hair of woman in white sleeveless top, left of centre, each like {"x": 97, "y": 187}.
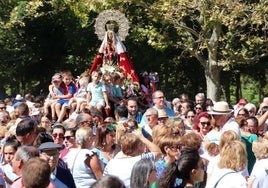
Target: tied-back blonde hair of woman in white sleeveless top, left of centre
{"x": 82, "y": 135}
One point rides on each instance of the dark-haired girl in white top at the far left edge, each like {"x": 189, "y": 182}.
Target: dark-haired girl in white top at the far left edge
{"x": 9, "y": 150}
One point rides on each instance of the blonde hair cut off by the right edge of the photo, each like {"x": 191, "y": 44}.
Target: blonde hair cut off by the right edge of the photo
{"x": 260, "y": 149}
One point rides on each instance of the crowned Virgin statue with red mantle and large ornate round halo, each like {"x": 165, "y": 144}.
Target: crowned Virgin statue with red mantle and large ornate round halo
{"x": 112, "y": 53}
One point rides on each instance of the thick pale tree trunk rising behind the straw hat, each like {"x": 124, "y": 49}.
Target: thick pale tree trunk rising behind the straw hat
{"x": 212, "y": 74}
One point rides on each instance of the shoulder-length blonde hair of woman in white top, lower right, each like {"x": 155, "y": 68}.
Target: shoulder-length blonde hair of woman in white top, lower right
{"x": 233, "y": 156}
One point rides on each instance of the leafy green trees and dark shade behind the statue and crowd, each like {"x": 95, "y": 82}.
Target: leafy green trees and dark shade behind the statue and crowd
{"x": 190, "y": 43}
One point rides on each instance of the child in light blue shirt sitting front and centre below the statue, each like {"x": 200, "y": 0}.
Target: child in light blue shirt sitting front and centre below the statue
{"x": 97, "y": 96}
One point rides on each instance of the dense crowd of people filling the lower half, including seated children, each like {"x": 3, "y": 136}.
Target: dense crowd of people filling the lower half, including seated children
{"x": 92, "y": 132}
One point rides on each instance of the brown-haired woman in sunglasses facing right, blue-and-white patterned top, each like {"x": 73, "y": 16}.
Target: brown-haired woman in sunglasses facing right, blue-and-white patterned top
{"x": 105, "y": 145}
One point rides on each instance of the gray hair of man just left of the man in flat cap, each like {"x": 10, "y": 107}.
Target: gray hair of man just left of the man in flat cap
{"x": 24, "y": 153}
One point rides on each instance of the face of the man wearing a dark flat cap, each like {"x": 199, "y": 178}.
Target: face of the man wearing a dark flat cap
{"x": 51, "y": 156}
